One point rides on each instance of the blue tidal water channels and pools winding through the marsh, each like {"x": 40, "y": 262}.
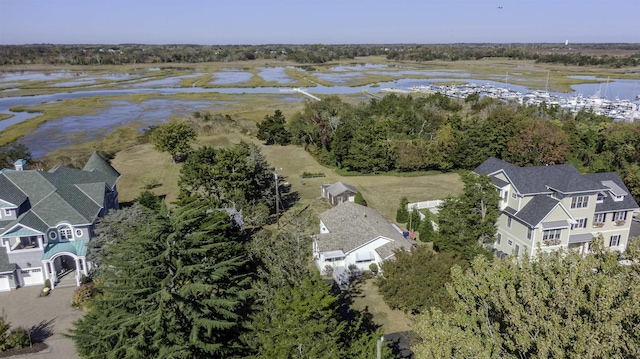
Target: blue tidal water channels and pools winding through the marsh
{"x": 70, "y": 129}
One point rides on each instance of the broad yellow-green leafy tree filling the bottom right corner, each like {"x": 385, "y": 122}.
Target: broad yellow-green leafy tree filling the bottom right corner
{"x": 566, "y": 305}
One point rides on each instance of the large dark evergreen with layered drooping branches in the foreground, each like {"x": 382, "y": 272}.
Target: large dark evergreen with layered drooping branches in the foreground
{"x": 173, "y": 287}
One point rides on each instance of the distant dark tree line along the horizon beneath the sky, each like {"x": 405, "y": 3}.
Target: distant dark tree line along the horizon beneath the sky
{"x": 575, "y": 54}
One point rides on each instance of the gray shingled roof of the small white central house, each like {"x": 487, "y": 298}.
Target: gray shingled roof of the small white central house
{"x": 352, "y": 226}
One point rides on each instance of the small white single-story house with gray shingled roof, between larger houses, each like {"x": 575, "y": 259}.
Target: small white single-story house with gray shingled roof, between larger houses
{"x": 351, "y": 234}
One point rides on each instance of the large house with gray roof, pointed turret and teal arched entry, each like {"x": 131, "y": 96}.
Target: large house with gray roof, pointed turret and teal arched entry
{"x": 47, "y": 219}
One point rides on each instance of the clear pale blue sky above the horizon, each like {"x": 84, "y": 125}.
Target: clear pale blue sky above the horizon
{"x": 317, "y": 21}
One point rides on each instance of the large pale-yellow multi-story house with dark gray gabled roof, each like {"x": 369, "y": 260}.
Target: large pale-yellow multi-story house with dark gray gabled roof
{"x": 552, "y": 207}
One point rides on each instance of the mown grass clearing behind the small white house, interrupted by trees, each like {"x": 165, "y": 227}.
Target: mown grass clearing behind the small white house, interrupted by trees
{"x": 382, "y": 192}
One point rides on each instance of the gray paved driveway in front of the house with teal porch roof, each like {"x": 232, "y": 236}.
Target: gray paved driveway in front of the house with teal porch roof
{"x": 24, "y": 307}
